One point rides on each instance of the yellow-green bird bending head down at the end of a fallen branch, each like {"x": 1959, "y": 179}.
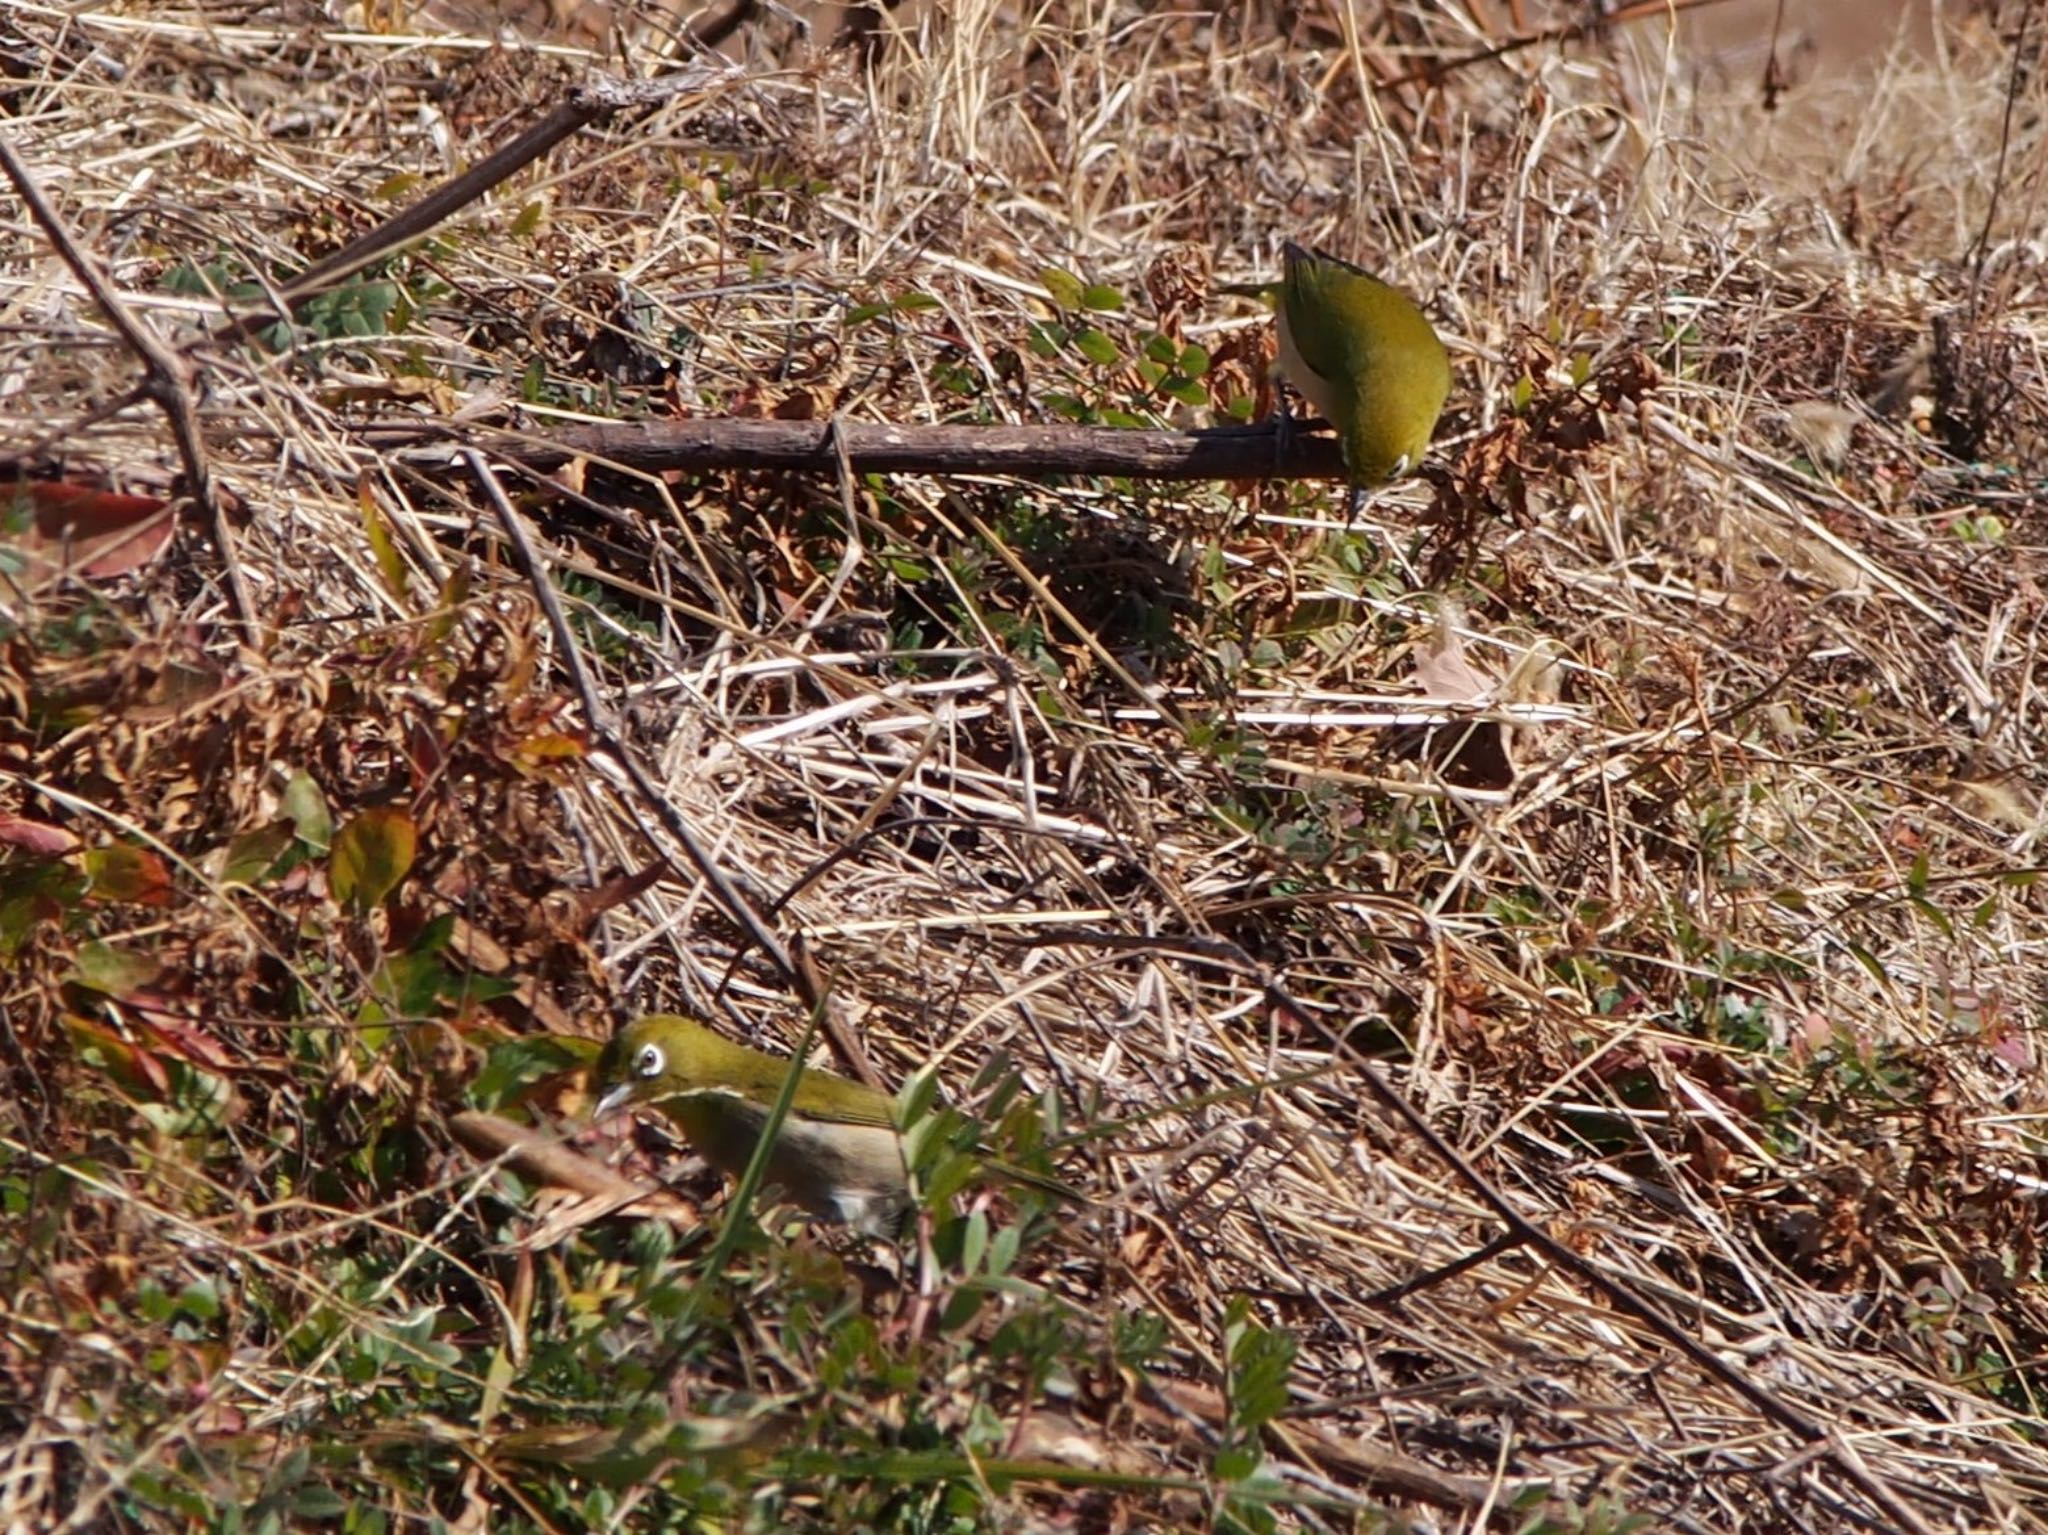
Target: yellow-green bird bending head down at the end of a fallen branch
{"x": 1365, "y": 357}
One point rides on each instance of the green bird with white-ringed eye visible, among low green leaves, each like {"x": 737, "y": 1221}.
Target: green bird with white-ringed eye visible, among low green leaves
{"x": 839, "y": 1153}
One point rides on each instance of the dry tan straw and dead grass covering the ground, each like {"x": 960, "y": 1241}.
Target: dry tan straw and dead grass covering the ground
{"x": 1734, "y": 990}
